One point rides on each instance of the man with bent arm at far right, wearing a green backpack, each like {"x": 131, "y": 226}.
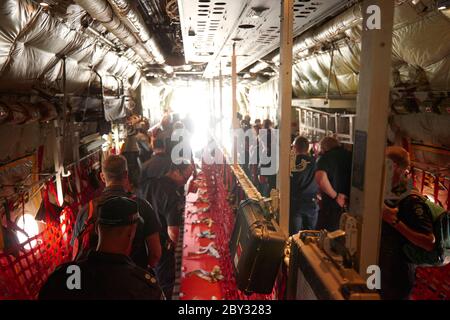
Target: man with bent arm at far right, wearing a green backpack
{"x": 407, "y": 224}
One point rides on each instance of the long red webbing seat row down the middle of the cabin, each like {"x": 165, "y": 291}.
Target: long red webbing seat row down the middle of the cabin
{"x": 192, "y": 287}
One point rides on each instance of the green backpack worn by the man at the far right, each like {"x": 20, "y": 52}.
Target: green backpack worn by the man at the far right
{"x": 441, "y": 229}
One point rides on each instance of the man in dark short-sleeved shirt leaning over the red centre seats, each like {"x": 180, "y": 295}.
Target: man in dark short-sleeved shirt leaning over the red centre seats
{"x": 164, "y": 195}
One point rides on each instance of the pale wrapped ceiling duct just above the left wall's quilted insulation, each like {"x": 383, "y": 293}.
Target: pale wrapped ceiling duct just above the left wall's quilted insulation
{"x": 102, "y": 11}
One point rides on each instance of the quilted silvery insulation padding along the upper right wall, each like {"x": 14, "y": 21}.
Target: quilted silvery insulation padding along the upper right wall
{"x": 327, "y": 58}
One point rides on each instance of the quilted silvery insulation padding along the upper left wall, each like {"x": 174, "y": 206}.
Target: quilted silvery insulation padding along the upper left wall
{"x": 34, "y": 41}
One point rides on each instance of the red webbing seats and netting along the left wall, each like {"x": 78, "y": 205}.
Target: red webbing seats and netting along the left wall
{"x": 23, "y": 274}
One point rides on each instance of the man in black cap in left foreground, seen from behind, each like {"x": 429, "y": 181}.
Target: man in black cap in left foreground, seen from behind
{"x": 107, "y": 273}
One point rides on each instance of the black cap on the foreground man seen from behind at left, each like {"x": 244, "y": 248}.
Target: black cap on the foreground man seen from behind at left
{"x": 119, "y": 211}
